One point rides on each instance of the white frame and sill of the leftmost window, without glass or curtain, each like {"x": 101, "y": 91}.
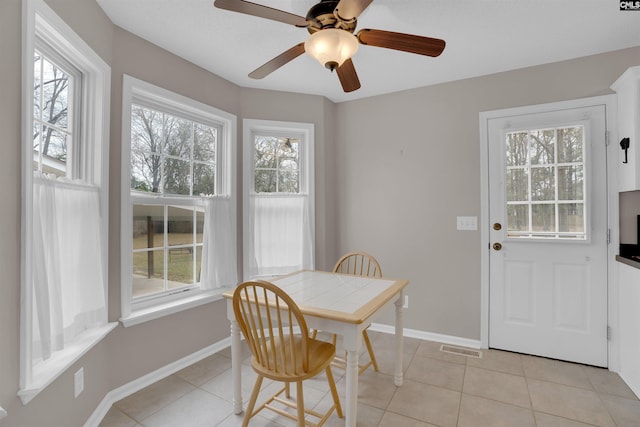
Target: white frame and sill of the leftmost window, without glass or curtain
{"x": 41, "y": 23}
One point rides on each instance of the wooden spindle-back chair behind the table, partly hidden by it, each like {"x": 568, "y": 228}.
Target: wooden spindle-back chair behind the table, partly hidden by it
{"x": 357, "y": 264}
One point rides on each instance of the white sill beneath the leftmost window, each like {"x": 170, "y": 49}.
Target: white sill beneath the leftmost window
{"x": 46, "y": 372}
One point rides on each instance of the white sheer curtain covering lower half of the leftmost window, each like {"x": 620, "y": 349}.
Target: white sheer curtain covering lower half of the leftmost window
{"x": 68, "y": 277}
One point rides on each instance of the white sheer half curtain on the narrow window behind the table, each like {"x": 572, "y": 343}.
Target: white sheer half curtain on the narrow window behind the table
{"x": 281, "y": 238}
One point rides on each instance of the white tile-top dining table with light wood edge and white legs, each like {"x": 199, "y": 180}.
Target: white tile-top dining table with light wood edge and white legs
{"x": 335, "y": 303}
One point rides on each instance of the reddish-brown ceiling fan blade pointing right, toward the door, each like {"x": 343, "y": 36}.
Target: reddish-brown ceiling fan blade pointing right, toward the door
{"x": 400, "y": 41}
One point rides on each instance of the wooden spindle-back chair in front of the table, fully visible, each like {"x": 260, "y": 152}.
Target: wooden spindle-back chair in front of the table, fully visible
{"x": 282, "y": 350}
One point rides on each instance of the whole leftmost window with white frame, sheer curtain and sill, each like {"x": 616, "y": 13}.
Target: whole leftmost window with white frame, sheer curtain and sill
{"x": 65, "y": 199}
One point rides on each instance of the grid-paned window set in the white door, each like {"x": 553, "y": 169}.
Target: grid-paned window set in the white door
{"x": 545, "y": 183}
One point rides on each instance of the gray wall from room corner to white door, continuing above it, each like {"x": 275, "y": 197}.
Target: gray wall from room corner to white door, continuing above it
{"x": 408, "y": 164}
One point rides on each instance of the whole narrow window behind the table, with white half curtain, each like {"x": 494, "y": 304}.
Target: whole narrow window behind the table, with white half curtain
{"x": 278, "y": 188}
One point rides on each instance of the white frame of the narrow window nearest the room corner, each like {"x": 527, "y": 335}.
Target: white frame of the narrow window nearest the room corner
{"x": 303, "y": 131}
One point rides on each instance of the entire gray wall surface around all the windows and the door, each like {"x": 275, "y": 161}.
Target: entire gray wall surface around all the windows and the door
{"x": 393, "y": 189}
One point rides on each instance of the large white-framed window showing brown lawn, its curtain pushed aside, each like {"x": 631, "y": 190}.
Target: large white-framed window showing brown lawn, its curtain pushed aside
{"x": 179, "y": 234}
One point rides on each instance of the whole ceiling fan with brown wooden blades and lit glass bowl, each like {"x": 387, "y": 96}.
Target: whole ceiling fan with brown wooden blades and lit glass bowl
{"x": 332, "y": 42}
